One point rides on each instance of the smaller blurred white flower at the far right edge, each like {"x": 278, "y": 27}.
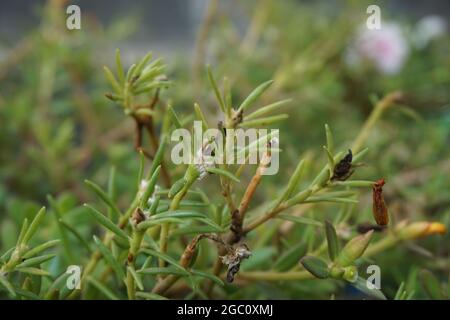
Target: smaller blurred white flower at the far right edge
{"x": 427, "y": 29}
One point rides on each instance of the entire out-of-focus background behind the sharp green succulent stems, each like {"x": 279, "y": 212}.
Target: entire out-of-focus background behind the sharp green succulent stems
{"x": 57, "y": 128}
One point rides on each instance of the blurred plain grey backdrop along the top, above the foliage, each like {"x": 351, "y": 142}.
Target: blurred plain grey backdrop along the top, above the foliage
{"x": 170, "y": 25}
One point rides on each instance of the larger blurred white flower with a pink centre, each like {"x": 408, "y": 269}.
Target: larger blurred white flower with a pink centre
{"x": 386, "y": 48}
